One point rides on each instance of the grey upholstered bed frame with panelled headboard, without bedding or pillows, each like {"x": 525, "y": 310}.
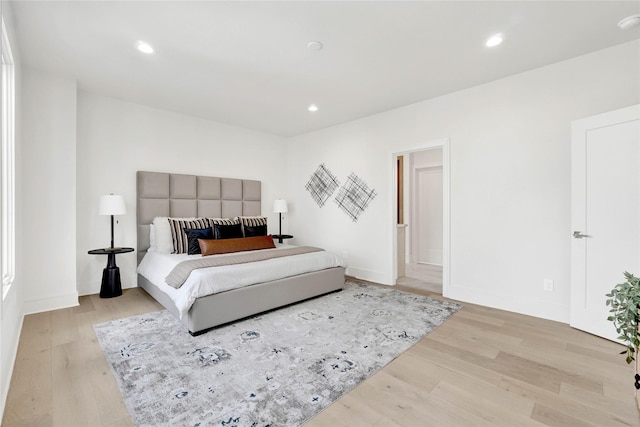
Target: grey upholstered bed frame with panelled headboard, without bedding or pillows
{"x": 186, "y": 196}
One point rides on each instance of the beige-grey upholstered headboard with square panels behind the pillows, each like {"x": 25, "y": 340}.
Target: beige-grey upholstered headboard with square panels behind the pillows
{"x": 176, "y": 195}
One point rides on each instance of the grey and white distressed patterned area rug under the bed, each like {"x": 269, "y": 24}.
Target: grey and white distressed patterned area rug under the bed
{"x": 274, "y": 369}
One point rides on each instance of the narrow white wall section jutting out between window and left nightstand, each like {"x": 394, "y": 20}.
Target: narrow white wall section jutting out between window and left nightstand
{"x": 48, "y": 179}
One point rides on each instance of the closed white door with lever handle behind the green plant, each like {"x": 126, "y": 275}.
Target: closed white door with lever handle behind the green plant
{"x": 605, "y": 213}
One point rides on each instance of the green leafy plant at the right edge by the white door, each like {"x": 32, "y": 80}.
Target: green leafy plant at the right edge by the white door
{"x": 624, "y": 301}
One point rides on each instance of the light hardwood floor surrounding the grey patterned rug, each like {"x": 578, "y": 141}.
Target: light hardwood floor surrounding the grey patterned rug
{"x": 483, "y": 367}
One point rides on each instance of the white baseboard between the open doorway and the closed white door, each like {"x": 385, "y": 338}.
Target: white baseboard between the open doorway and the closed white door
{"x": 523, "y": 305}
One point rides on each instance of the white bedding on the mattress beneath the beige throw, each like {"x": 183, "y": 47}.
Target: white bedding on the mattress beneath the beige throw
{"x": 156, "y": 266}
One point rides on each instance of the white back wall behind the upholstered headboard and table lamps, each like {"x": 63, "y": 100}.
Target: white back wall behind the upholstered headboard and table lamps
{"x": 116, "y": 139}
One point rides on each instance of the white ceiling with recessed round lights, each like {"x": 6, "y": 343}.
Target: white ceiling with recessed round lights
{"x": 247, "y": 63}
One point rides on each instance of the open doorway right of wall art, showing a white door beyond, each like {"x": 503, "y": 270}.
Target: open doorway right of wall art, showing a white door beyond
{"x": 421, "y": 217}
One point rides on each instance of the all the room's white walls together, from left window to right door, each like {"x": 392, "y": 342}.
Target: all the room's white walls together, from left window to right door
{"x": 510, "y": 178}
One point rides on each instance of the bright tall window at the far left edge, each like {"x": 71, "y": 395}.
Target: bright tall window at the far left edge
{"x": 7, "y": 187}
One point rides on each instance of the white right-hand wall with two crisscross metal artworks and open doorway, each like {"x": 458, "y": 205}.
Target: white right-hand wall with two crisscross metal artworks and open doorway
{"x": 510, "y": 178}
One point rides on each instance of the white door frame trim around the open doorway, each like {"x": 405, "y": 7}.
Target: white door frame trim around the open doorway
{"x": 444, "y": 144}
